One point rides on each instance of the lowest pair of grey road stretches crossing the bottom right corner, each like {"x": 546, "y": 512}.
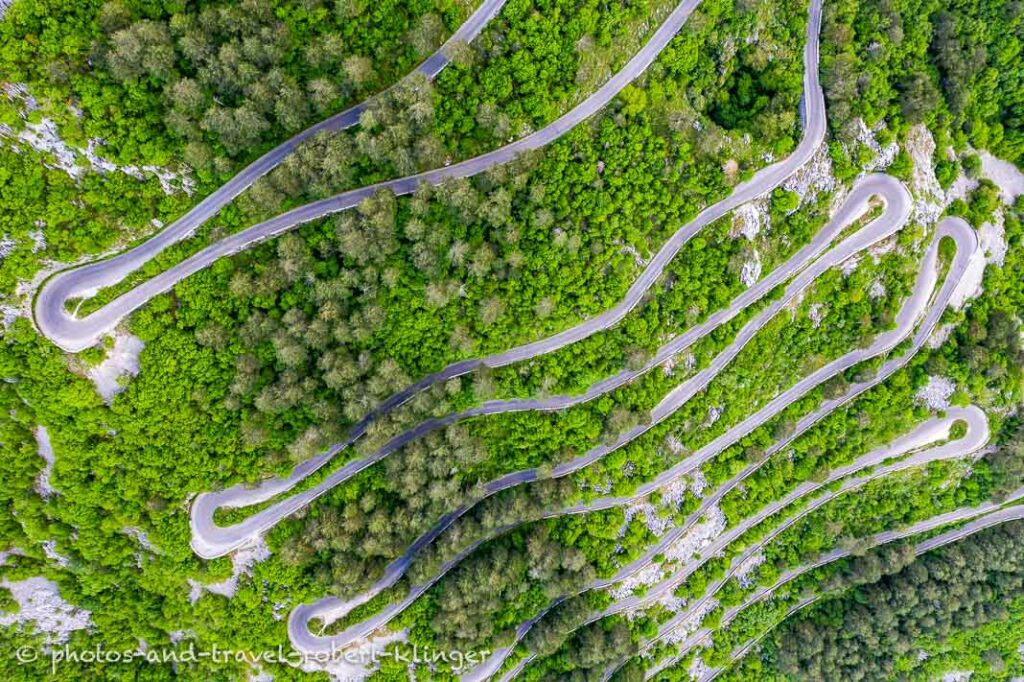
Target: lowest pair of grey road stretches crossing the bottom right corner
{"x": 985, "y": 517}
